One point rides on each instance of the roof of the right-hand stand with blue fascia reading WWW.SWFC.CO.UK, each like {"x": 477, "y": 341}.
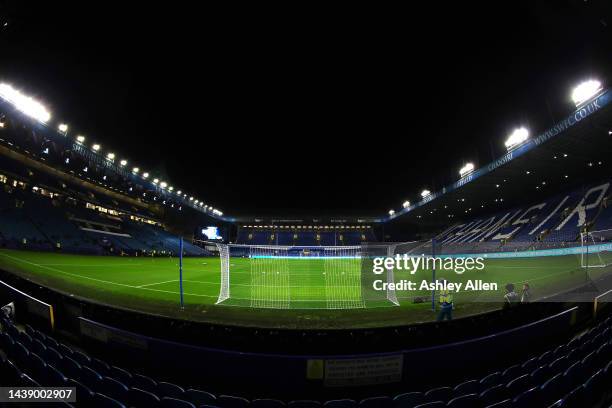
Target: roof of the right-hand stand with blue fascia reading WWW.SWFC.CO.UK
{"x": 576, "y": 149}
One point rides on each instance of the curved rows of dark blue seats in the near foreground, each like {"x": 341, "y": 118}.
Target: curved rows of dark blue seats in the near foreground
{"x": 577, "y": 373}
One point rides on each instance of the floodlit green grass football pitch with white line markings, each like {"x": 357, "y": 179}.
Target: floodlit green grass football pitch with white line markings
{"x": 152, "y": 285}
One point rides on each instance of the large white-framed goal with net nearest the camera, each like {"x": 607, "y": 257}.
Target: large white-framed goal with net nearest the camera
{"x": 294, "y": 277}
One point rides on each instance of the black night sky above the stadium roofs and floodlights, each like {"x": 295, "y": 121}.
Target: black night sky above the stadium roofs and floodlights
{"x": 305, "y": 111}
